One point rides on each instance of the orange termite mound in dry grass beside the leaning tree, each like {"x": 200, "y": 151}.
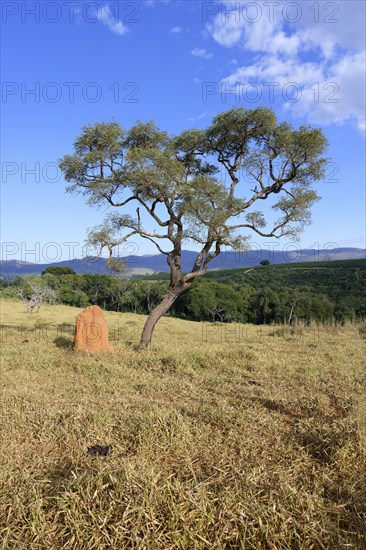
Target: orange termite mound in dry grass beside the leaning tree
{"x": 91, "y": 331}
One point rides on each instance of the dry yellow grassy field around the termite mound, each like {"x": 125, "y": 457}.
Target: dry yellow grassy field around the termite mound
{"x": 236, "y": 437}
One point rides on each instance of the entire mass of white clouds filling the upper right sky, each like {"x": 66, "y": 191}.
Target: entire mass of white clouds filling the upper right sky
{"x": 323, "y": 57}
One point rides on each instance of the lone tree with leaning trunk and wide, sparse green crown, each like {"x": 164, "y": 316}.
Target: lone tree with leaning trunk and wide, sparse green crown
{"x": 198, "y": 186}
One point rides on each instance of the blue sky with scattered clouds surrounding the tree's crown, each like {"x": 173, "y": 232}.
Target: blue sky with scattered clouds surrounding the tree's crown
{"x": 65, "y": 64}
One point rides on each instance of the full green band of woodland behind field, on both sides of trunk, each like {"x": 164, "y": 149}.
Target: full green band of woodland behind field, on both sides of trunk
{"x": 274, "y": 293}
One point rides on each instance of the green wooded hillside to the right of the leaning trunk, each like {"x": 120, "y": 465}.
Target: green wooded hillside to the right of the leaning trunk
{"x": 264, "y": 294}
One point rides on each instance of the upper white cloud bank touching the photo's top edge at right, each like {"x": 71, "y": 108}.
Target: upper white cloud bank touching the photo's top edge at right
{"x": 321, "y": 26}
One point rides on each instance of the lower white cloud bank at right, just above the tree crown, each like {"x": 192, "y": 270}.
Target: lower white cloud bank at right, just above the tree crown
{"x": 324, "y": 93}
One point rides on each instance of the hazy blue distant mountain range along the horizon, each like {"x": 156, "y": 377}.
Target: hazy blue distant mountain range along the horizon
{"x": 141, "y": 265}
